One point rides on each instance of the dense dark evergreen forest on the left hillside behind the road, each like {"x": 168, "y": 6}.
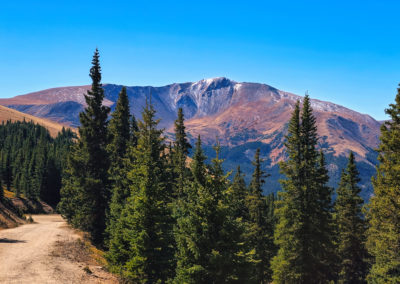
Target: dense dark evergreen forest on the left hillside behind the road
{"x": 31, "y": 161}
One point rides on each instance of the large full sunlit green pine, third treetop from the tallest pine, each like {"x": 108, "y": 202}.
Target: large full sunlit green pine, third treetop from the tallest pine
{"x": 142, "y": 249}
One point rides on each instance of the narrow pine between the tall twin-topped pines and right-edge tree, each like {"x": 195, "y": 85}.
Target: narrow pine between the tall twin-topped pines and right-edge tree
{"x": 351, "y": 226}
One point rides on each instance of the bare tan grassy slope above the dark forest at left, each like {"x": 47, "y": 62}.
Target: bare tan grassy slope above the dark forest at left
{"x": 14, "y": 115}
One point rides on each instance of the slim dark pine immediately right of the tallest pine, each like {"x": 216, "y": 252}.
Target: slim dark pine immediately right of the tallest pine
{"x": 120, "y": 138}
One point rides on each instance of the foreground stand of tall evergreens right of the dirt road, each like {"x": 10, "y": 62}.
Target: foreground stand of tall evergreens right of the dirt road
{"x": 164, "y": 218}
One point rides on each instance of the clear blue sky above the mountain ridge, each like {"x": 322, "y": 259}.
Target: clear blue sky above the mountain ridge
{"x": 347, "y": 52}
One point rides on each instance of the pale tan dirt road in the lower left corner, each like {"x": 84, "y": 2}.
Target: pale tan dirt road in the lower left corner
{"x": 35, "y": 253}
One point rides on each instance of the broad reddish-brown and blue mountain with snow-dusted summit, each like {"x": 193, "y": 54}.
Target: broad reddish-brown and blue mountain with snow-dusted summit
{"x": 244, "y": 116}
